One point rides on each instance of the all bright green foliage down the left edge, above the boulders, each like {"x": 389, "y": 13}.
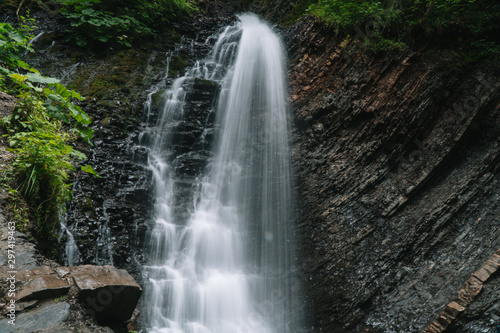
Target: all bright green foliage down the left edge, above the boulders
{"x": 41, "y": 129}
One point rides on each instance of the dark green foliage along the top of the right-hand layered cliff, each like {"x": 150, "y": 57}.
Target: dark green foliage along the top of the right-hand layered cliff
{"x": 471, "y": 25}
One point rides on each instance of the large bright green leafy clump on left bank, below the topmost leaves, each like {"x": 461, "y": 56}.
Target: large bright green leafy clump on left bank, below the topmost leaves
{"x": 43, "y": 152}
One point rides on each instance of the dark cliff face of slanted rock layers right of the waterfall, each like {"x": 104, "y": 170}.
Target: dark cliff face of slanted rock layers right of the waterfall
{"x": 397, "y": 163}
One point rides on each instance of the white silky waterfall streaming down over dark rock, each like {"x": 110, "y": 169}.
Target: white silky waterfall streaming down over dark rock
{"x": 223, "y": 265}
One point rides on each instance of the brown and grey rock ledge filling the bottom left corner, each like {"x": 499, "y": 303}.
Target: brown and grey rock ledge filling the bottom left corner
{"x": 67, "y": 299}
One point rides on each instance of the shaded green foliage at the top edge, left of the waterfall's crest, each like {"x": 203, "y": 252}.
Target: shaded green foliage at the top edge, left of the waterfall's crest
{"x": 120, "y": 22}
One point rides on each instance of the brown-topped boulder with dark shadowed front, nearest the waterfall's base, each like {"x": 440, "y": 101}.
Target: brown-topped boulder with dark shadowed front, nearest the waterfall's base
{"x": 109, "y": 294}
